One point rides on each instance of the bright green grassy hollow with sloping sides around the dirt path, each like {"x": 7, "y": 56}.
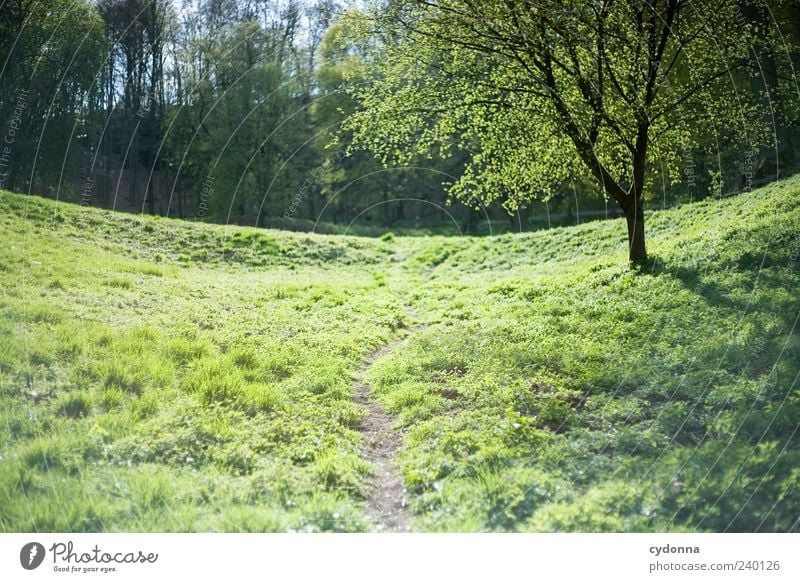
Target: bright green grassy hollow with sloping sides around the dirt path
{"x": 161, "y": 375}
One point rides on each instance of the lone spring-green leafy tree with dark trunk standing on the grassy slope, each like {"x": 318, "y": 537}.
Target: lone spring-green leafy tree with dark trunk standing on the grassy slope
{"x": 540, "y": 90}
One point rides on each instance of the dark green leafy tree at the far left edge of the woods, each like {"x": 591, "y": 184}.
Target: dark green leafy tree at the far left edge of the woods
{"x": 50, "y": 53}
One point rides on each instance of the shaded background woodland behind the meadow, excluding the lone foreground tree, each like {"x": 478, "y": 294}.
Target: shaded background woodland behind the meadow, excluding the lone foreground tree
{"x": 231, "y": 111}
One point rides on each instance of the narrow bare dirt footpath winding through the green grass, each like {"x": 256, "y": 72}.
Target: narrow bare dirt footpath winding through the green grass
{"x": 386, "y": 500}
